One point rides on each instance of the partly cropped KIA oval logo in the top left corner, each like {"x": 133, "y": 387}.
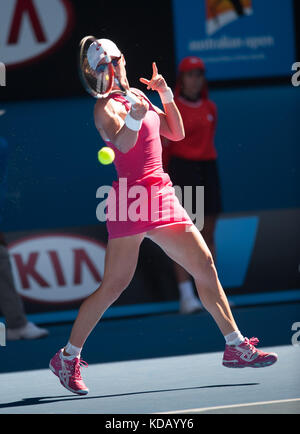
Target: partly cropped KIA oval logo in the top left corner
{"x": 32, "y": 28}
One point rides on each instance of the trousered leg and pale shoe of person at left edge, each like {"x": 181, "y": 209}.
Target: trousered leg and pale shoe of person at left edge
{"x": 11, "y": 306}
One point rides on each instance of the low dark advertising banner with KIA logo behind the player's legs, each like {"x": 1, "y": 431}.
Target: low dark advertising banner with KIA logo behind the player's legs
{"x": 55, "y": 270}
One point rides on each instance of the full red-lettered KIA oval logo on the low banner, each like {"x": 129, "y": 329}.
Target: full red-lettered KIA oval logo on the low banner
{"x": 57, "y": 268}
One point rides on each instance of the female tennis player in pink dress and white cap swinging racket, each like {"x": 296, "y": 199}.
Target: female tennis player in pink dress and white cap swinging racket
{"x": 133, "y": 132}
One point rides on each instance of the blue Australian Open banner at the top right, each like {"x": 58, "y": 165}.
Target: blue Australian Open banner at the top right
{"x": 237, "y": 38}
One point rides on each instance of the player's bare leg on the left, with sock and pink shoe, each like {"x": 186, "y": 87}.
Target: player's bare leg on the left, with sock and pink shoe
{"x": 120, "y": 264}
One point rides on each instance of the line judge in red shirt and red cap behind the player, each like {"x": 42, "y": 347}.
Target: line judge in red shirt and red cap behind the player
{"x": 193, "y": 160}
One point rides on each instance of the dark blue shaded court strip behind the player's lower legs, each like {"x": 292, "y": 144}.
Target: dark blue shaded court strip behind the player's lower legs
{"x": 154, "y": 336}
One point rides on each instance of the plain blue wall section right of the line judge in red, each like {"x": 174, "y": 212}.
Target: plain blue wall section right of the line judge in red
{"x": 258, "y": 142}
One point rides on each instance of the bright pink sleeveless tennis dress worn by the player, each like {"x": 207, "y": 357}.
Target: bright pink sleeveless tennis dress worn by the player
{"x": 143, "y": 198}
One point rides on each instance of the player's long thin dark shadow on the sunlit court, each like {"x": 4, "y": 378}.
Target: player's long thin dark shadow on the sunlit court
{"x": 49, "y": 399}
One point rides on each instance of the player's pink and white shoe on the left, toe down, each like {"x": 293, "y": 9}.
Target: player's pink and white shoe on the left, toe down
{"x": 68, "y": 372}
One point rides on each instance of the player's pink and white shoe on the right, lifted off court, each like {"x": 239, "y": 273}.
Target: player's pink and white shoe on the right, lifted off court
{"x": 246, "y": 355}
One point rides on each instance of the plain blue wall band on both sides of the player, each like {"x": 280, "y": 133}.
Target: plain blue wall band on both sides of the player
{"x": 54, "y": 173}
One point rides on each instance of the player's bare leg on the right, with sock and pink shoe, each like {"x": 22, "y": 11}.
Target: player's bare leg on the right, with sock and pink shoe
{"x": 189, "y": 249}
